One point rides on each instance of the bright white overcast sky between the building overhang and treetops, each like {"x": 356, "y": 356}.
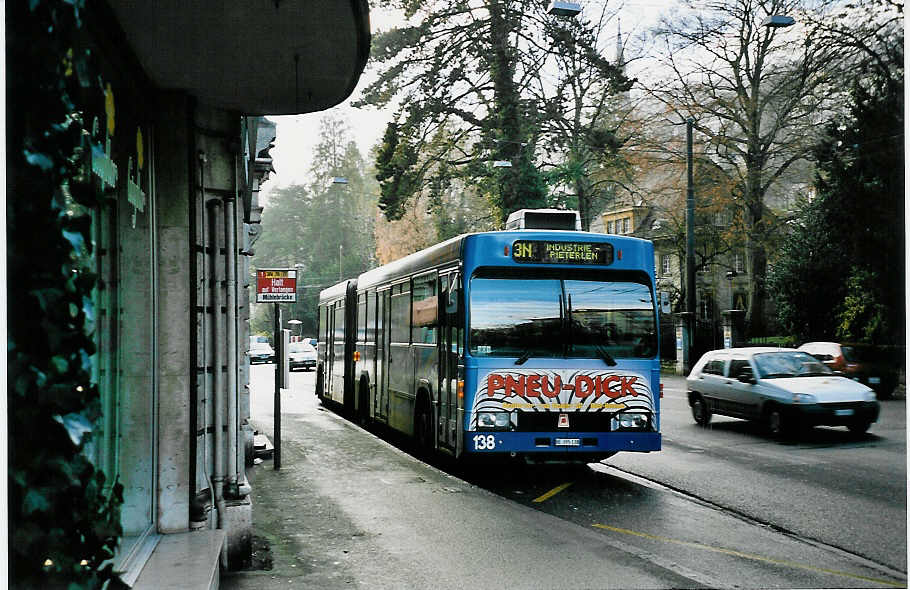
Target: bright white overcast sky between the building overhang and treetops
{"x": 297, "y": 134}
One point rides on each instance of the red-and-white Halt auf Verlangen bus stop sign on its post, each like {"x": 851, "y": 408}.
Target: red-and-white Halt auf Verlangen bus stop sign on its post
{"x": 277, "y": 285}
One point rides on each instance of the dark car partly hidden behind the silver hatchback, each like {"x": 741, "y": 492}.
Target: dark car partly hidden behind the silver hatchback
{"x": 870, "y": 365}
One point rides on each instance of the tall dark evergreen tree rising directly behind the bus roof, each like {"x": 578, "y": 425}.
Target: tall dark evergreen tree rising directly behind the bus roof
{"x": 469, "y": 77}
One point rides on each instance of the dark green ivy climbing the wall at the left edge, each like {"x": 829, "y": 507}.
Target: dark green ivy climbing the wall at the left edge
{"x": 64, "y": 519}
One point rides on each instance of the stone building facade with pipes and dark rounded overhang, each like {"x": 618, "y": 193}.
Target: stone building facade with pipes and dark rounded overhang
{"x": 176, "y": 145}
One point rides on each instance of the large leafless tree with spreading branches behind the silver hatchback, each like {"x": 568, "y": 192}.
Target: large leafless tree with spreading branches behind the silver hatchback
{"x": 758, "y": 94}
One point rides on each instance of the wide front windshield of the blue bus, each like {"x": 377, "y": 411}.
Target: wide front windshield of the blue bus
{"x": 561, "y": 314}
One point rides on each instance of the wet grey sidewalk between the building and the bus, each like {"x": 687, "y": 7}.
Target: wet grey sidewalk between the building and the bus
{"x": 348, "y": 510}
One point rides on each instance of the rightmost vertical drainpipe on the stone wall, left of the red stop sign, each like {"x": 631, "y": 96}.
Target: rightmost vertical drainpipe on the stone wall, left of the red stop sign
{"x": 231, "y": 337}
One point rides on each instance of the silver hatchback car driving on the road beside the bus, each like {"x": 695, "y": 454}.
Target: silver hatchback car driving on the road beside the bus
{"x": 787, "y": 389}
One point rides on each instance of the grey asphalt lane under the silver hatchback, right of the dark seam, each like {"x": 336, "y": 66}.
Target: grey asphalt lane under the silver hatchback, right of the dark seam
{"x": 827, "y": 485}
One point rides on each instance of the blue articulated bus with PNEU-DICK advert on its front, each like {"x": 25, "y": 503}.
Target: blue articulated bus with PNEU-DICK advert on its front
{"x": 534, "y": 343}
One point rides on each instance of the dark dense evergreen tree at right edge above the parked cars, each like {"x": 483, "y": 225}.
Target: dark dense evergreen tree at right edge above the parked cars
{"x": 851, "y": 237}
